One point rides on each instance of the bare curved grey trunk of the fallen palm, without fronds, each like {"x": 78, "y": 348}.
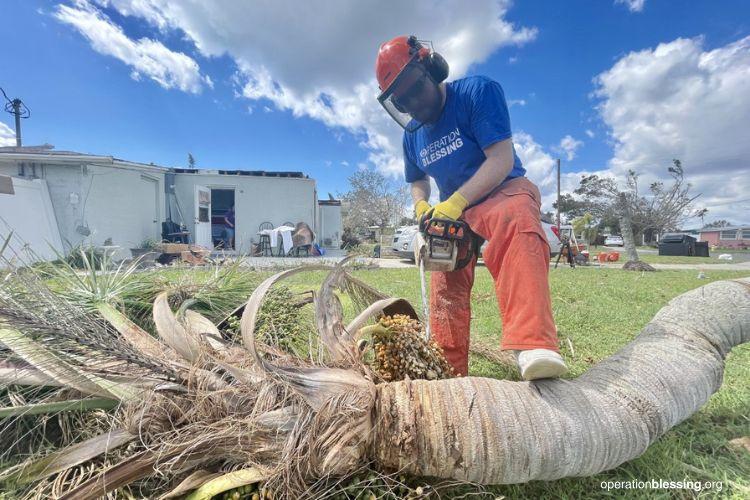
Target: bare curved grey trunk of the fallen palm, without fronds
{"x": 495, "y": 431}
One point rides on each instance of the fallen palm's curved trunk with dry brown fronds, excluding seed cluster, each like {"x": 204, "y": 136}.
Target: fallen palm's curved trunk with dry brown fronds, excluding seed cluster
{"x": 297, "y": 421}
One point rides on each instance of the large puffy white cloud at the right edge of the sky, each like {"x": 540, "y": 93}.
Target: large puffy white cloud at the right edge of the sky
{"x": 681, "y": 101}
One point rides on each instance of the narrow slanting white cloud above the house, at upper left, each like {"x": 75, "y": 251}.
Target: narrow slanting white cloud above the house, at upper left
{"x": 146, "y": 57}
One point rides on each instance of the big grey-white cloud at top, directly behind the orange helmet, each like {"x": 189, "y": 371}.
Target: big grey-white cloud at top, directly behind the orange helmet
{"x": 317, "y": 61}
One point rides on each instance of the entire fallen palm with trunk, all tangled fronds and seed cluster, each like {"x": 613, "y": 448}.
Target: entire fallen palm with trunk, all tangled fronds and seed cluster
{"x": 180, "y": 410}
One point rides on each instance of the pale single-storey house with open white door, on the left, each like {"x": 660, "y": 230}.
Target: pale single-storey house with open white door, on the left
{"x": 64, "y": 198}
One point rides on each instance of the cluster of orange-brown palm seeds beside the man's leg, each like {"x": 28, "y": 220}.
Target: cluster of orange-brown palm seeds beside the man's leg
{"x": 401, "y": 350}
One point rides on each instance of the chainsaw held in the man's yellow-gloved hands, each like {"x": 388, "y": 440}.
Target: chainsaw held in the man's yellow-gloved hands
{"x": 442, "y": 245}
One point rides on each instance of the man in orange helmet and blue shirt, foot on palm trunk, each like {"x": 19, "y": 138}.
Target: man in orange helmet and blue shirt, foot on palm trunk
{"x": 459, "y": 134}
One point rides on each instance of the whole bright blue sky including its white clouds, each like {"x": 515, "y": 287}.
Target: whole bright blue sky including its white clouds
{"x": 237, "y": 84}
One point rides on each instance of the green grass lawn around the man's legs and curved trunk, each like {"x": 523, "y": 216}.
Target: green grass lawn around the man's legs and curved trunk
{"x": 598, "y": 311}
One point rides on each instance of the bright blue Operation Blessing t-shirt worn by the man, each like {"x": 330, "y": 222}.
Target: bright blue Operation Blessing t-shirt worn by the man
{"x": 450, "y": 151}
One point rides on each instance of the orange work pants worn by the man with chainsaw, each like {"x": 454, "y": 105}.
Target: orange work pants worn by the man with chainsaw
{"x": 517, "y": 255}
